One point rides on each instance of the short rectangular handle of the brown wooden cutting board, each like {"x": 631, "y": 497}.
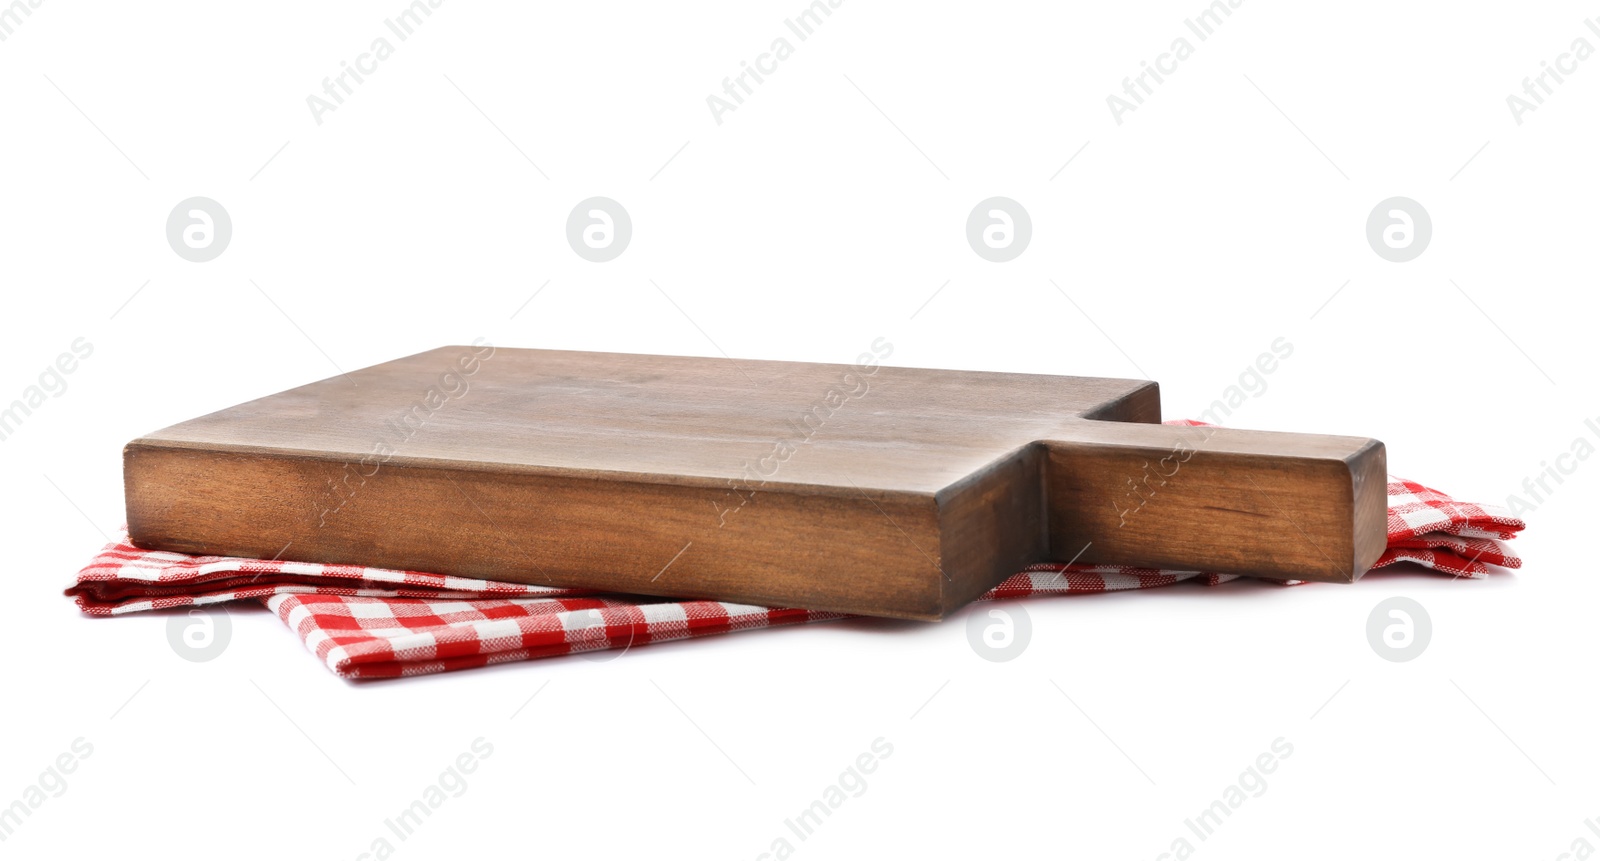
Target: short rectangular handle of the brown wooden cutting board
{"x": 1282, "y": 507}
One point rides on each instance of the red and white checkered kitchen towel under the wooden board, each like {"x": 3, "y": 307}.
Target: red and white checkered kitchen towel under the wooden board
{"x": 372, "y": 623}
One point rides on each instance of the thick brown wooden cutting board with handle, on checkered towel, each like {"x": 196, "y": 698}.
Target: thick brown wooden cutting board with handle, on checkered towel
{"x": 865, "y": 489}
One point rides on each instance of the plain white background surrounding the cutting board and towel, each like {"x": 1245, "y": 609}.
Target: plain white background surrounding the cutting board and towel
{"x": 1222, "y": 215}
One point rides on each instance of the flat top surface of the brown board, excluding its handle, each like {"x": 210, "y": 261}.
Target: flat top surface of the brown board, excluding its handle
{"x": 684, "y": 420}
